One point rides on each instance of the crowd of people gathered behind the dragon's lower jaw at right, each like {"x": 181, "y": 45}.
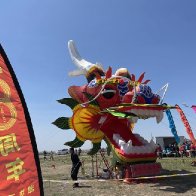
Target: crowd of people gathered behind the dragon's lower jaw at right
{"x": 186, "y": 149}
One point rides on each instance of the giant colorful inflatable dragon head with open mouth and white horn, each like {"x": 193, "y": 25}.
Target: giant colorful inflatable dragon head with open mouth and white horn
{"x": 107, "y": 107}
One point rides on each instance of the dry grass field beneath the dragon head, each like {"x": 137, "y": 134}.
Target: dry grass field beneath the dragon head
{"x": 57, "y": 181}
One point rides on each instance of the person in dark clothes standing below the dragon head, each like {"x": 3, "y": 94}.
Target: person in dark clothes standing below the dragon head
{"x": 76, "y": 163}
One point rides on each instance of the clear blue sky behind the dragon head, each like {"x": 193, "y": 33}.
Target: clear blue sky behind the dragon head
{"x": 158, "y": 37}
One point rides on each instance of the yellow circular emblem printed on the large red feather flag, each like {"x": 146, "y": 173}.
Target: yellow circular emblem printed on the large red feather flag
{"x": 8, "y": 112}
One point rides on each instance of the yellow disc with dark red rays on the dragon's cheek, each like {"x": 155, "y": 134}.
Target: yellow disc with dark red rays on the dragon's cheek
{"x": 82, "y": 122}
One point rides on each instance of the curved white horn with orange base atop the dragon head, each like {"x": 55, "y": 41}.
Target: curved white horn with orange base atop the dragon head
{"x": 84, "y": 67}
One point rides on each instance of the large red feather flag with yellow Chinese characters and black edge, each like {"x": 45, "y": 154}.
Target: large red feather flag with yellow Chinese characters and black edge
{"x": 20, "y": 172}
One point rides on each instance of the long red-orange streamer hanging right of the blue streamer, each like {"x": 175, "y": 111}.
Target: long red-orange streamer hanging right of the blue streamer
{"x": 186, "y": 124}
